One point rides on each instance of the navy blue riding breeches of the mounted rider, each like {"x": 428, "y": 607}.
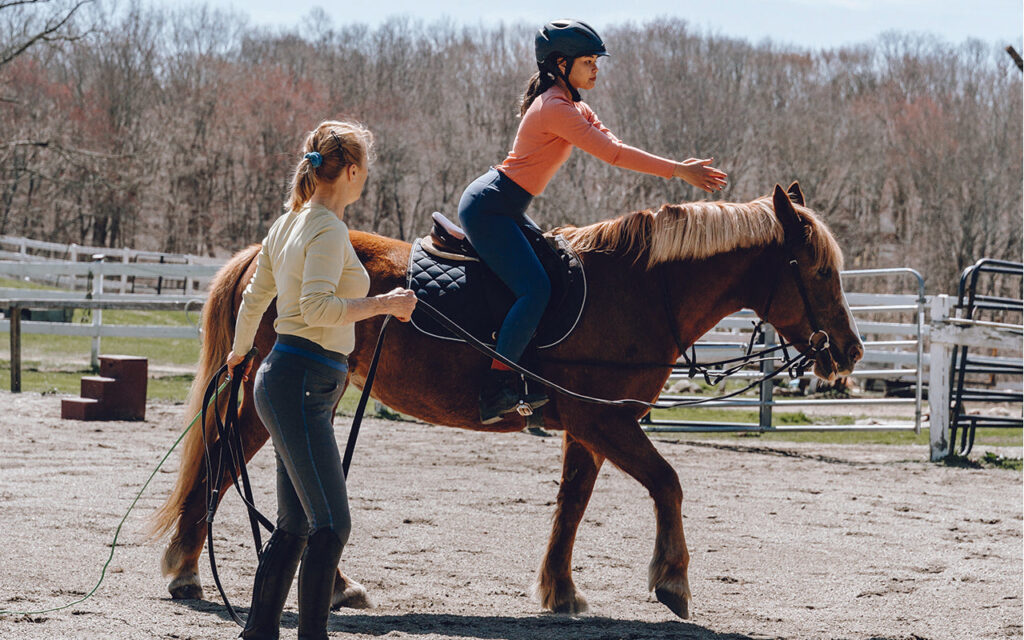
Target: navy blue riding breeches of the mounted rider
{"x": 493, "y": 210}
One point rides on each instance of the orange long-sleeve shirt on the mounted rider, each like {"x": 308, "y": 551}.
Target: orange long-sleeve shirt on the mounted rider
{"x": 549, "y": 131}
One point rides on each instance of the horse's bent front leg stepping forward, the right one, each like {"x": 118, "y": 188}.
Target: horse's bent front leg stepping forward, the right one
{"x": 625, "y": 445}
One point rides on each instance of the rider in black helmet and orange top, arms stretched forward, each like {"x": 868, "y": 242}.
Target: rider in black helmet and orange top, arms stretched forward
{"x": 493, "y": 209}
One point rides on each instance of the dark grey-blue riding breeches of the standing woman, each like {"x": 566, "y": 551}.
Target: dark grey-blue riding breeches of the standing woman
{"x": 296, "y": 390}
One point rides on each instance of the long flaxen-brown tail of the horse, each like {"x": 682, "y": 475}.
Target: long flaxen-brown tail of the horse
{"x": 219, "y": 333}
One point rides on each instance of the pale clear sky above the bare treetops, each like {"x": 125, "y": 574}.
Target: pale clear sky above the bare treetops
{"x": 809, "y": 23}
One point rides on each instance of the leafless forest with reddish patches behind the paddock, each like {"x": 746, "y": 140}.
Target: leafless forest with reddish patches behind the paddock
{"x": 178, "y": 131}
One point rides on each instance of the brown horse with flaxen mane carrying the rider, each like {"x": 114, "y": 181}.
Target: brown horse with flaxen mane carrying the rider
{"x": 657, "y": 279}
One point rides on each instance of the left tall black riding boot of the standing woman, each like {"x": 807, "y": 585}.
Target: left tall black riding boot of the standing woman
{"x": 274, "y": 580}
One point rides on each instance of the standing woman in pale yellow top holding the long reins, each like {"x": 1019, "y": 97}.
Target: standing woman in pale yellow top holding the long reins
{"x": 308, "y": 262}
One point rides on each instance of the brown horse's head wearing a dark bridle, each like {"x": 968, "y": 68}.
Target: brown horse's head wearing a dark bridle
{"x": 805, "y": 301}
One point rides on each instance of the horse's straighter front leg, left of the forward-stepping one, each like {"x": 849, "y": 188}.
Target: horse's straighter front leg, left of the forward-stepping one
{"x": 554, "y": 584}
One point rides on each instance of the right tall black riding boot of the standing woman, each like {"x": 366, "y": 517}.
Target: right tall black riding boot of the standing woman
{"x": 317, "y": 583}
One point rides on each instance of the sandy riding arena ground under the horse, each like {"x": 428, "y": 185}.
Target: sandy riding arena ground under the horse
{"x": 788, "y": 541}
